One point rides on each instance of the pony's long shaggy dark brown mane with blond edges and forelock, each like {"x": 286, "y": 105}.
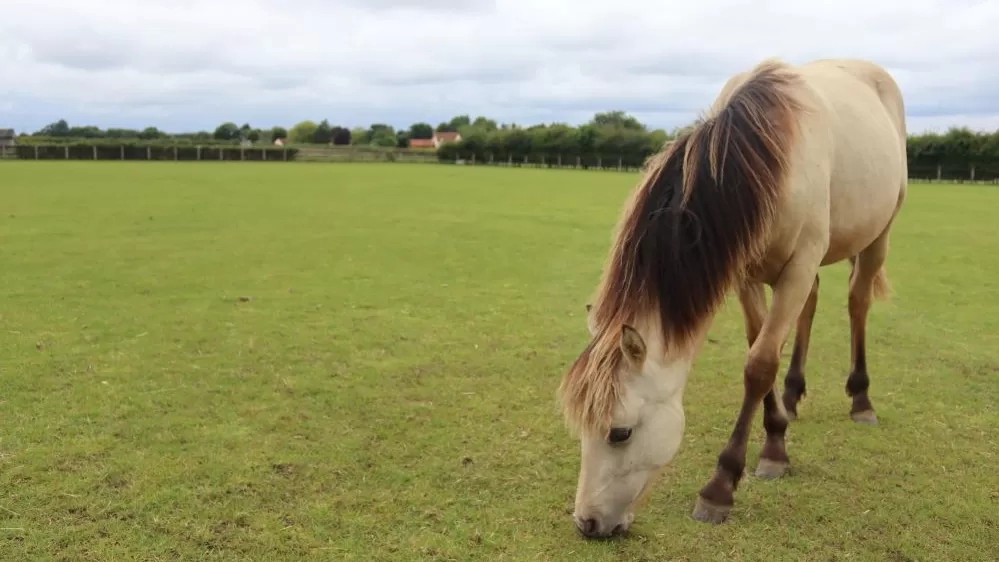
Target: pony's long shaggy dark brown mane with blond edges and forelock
{"x": 701, "y": 214}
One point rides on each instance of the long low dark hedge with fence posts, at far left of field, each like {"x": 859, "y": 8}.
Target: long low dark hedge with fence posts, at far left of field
{"x": 137, "y": 151}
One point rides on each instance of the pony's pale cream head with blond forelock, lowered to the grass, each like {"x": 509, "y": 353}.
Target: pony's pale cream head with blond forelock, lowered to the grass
{"x": 628, "y": 409}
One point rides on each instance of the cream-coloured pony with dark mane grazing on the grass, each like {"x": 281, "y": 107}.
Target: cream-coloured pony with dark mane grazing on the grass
{"x": 792, "y": 168}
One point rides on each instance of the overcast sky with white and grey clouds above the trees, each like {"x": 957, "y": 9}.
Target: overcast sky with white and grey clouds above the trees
{"x": 186, "y": 65}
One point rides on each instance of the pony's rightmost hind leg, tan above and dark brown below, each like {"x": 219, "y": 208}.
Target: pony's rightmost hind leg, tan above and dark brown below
{"x": 867, "y": 280}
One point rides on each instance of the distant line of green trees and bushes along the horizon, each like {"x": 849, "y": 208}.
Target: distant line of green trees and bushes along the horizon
{"x": 609, "y": 139}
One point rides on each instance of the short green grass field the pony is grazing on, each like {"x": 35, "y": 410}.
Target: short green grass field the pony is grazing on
{"x": 358, "y": 362}
